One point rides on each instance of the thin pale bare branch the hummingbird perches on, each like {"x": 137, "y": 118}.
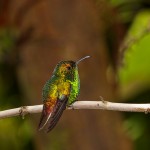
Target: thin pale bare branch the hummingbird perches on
{"x": 104, "y": 105}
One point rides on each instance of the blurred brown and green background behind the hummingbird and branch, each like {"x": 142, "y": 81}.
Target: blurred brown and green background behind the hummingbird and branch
{"x": 35, "y": 35}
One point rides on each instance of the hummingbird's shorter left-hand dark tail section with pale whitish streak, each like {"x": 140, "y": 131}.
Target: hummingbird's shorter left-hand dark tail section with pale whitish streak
{"x": 45, "y": 116}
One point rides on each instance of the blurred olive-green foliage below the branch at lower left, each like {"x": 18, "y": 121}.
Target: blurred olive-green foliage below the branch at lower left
{"x": 16, "y": 133}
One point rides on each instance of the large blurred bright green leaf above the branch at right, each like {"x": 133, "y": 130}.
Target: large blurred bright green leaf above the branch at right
{"x": 134, "y": 75}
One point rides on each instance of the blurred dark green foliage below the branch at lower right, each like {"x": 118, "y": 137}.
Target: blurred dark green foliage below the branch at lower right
{"x": 137, "y": 128}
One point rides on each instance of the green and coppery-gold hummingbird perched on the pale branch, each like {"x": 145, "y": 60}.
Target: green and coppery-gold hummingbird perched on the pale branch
{"x": 61, "y": 90}
